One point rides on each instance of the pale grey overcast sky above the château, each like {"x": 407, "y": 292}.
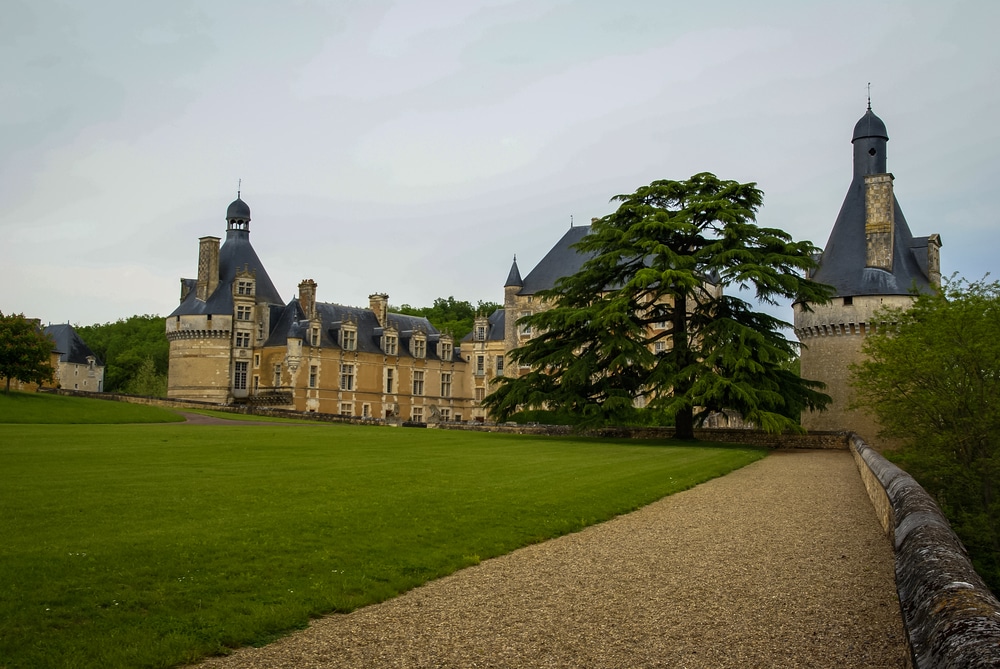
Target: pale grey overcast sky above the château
{"x": 415, "y": 147}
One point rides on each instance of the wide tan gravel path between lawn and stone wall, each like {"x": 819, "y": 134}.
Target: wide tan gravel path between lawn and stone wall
{"x": 779, "y": 564}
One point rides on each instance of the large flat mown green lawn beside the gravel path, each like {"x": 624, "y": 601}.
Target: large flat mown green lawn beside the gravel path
{"x": 154, "y": 545}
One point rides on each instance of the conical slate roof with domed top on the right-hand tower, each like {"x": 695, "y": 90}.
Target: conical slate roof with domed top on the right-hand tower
{"x": 843, "y": 262}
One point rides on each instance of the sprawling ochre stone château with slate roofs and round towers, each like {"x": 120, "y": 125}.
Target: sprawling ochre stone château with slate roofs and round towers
{"x": 232, "y": 339}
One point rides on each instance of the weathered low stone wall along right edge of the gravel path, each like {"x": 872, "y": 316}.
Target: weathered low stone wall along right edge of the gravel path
{"x": 952, "y": 619}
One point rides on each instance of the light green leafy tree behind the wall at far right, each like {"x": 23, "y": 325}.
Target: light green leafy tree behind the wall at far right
{"x": 933, "y": 381}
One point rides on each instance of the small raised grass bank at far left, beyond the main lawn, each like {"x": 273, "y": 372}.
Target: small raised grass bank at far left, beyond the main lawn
{"x": 49, "y": 409}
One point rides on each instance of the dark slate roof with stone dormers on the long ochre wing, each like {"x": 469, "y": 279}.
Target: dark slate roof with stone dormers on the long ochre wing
{"x": 291, "y": 322}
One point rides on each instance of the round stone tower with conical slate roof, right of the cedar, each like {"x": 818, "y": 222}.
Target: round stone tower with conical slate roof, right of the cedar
{"x": 872, "y": 261}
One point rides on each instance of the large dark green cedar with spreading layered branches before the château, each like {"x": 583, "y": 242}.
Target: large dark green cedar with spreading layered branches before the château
{"x": 646, "y": 316}
